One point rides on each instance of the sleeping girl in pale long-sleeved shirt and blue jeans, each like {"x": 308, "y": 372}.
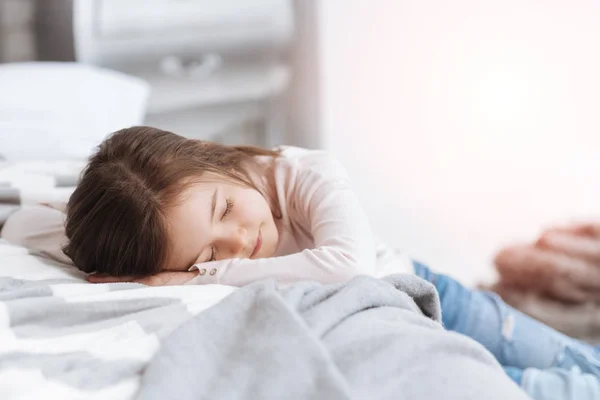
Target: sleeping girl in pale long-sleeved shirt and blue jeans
{"x": 156, "y": 208}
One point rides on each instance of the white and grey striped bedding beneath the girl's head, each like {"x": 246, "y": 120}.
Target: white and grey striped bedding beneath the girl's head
{"x": 61, "y": 337}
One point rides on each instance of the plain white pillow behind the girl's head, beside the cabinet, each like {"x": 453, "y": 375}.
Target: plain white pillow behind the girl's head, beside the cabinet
{"x": 51, "y": 110}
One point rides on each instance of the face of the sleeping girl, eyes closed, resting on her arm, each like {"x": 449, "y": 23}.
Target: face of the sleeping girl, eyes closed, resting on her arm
{"x": 217, "y": 220}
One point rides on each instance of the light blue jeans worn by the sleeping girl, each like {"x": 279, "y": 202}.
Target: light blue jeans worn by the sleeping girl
{"x": 534, "y": 355}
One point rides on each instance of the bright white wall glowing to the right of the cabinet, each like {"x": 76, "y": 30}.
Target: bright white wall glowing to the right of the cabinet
{"x": 467, "y": 124}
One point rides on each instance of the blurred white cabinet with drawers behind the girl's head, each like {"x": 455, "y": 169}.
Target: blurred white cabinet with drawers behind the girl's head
{"x": 216, "y": 67}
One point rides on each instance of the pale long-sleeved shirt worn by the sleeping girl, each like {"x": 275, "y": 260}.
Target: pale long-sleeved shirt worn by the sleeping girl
{"x": 325, "y": 233}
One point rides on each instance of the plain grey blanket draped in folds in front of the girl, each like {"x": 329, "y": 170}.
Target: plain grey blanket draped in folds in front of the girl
{"x": 367, "y": 339}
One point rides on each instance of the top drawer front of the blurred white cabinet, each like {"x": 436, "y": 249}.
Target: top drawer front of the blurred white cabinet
{"x": 114, "y": 31}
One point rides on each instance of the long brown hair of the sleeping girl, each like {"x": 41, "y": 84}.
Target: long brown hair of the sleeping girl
{"x": 116, "y": 221}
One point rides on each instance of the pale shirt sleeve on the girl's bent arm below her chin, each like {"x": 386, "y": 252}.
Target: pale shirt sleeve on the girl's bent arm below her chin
{"x": 344, "y": 243}
